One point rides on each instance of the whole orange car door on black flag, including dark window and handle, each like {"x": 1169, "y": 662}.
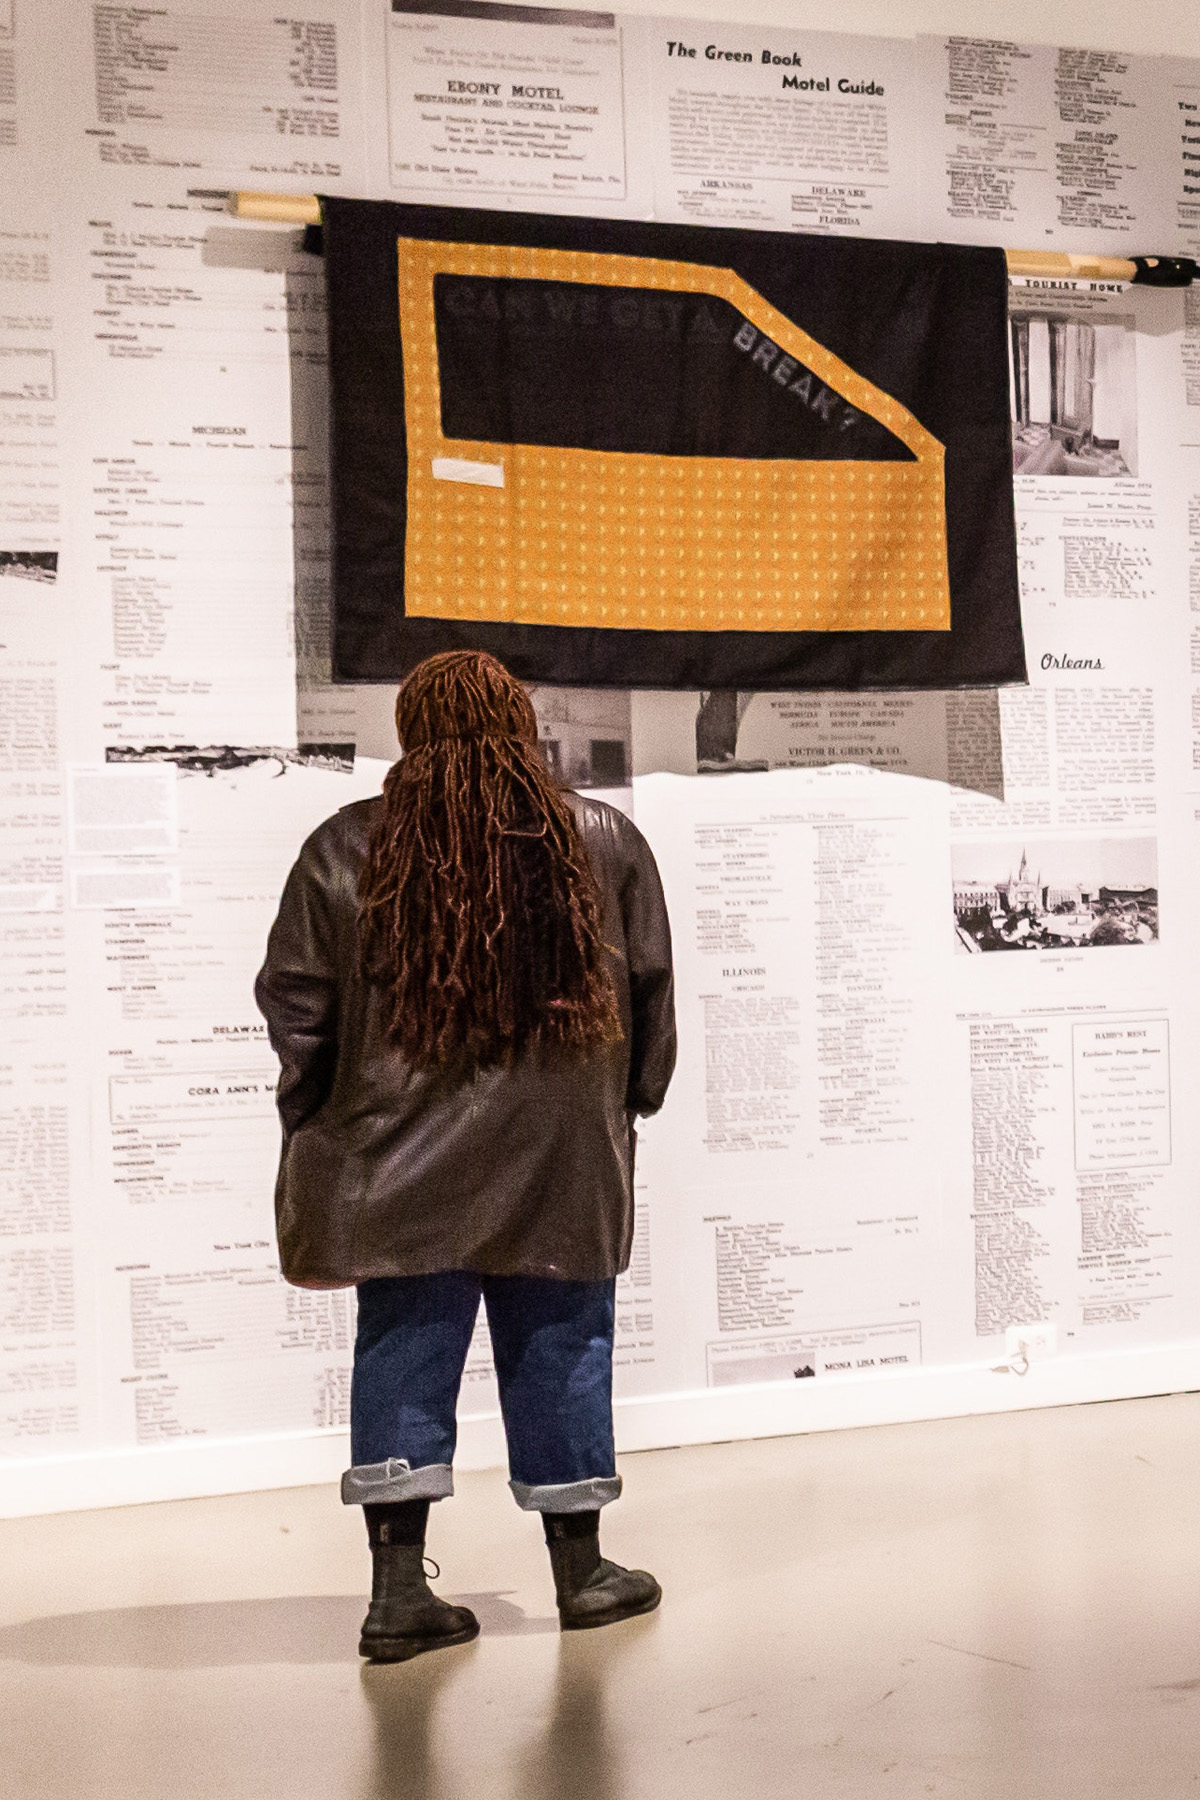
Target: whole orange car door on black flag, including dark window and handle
{"x": 638, "y": 444}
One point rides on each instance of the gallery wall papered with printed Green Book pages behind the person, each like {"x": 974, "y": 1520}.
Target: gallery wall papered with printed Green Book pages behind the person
{"x": 936, "y": 953}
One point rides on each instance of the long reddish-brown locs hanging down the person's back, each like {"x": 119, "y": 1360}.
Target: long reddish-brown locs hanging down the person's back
{"x": 478, "y": 910}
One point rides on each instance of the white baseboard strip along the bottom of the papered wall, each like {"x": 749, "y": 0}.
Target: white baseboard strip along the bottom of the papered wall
{"x": 704, "y": 1416}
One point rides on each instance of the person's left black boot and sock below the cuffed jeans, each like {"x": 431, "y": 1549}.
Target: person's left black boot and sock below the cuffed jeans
{"x": 406, "y": 1619}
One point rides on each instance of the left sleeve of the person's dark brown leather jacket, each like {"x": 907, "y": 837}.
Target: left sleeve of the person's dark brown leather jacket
{"x": 298, "y": 989}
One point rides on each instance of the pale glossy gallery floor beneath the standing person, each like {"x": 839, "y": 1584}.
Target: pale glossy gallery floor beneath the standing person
{"x": 1003, "y": 1608}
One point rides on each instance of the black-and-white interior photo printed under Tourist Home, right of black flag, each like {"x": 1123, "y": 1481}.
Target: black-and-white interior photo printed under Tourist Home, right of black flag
{"x": 1075, "y": 395}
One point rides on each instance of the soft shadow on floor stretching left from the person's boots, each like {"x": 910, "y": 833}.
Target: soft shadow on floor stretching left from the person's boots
{"x": 226, "y": 1633}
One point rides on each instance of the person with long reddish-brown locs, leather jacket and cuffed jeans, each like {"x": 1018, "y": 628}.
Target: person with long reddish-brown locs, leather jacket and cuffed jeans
{"x": 470, "y": 993}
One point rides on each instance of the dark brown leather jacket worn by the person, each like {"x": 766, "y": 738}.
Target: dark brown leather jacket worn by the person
{"x": 395, "y": 1171}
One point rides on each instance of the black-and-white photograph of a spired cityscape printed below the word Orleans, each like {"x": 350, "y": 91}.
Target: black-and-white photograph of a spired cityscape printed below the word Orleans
{"x": 1055, "y": 895}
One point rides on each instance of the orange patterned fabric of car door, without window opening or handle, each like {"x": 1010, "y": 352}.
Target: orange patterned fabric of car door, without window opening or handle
{"x": 663, "y": 543}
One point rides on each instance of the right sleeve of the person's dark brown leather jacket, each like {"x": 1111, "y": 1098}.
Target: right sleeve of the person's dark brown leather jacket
{"x": 652, "y": 980}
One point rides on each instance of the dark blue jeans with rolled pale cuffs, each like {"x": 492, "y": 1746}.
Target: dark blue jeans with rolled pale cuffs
{"x": 553, "y": 1353}
